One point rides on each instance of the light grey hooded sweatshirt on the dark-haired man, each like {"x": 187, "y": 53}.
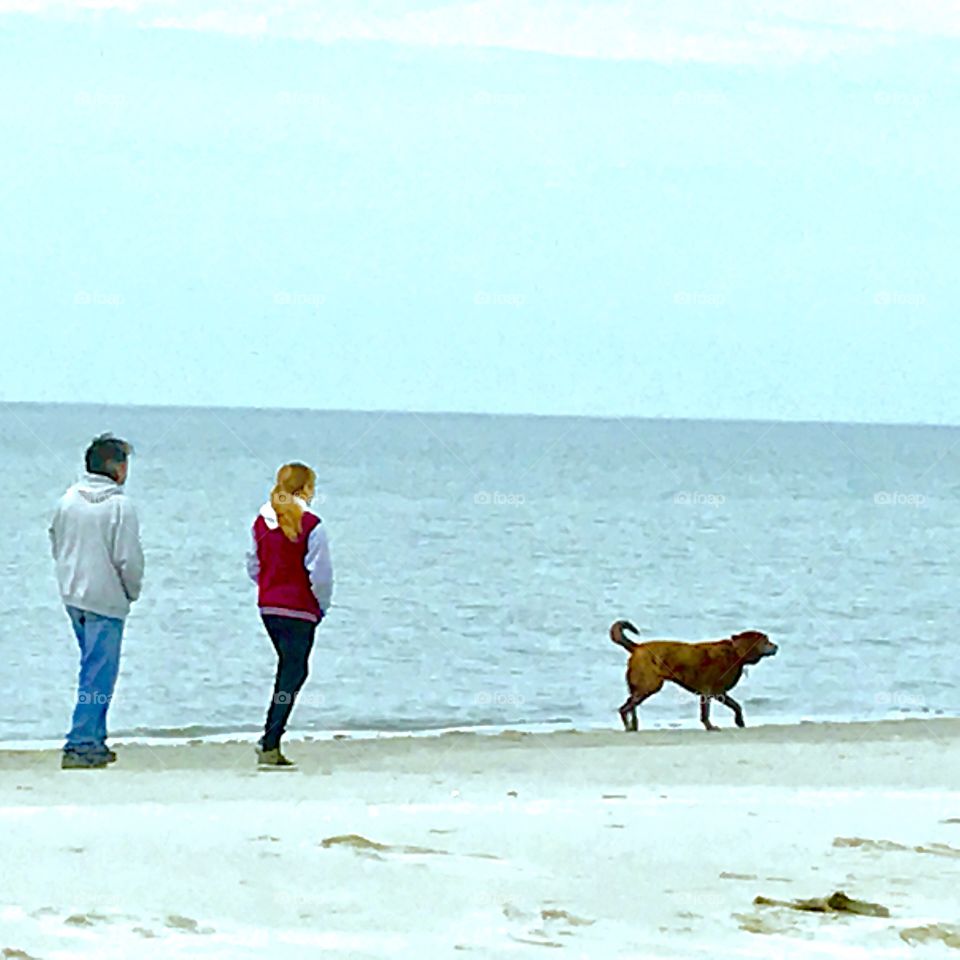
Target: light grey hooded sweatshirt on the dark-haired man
{"x": 95, "y": 538}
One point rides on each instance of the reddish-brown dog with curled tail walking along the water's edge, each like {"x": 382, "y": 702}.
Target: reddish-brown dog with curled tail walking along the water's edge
{"x": 707, "y": 669}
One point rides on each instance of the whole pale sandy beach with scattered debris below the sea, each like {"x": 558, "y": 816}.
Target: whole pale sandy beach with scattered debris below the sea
{"x": 595, "y": 844}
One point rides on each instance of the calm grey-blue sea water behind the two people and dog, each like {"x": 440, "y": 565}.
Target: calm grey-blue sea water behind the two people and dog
{"x": 480, "y": 560}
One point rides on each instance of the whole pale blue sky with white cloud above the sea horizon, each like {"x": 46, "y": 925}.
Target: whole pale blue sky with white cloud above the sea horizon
{"x": 697, "y": 209}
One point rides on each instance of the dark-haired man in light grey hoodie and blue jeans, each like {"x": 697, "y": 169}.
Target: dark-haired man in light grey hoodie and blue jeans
{"x": 96, "y": 545}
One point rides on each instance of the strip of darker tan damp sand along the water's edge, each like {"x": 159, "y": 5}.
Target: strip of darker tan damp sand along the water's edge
{"x": 761, "y": 751}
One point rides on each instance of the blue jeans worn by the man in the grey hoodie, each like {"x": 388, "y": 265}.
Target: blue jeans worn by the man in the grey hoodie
{"x": 99, "y": 638}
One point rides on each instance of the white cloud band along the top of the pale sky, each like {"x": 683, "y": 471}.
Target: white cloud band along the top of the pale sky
{"x": 641, "y": 33}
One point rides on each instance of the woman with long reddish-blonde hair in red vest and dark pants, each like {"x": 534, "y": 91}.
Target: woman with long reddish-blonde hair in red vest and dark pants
{"x": 289, "y": 560}
